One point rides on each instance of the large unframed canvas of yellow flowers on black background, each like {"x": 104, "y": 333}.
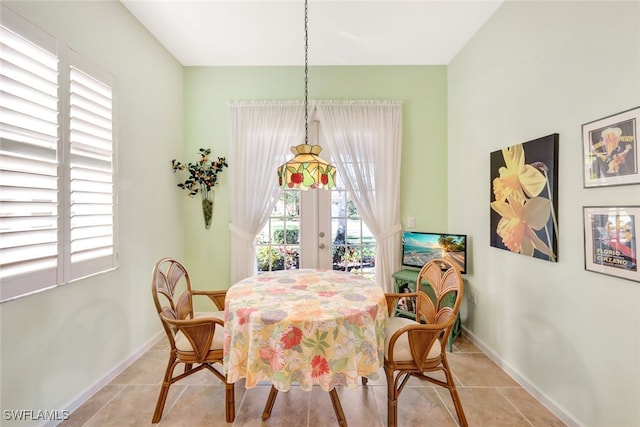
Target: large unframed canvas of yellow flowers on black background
{"x": 524, "y": 198}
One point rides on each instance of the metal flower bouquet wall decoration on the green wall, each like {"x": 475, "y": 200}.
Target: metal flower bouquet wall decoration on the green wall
{"x": 203, "y": 177}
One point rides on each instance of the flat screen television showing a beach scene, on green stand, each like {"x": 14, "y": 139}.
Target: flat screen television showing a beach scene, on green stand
{"x": 418, "y": 248}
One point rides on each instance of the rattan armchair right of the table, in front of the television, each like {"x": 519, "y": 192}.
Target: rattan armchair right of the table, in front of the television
{"x": 417, "y": 347}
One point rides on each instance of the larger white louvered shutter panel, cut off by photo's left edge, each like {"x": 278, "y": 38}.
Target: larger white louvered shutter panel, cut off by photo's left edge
{"x": 29, "y": 185}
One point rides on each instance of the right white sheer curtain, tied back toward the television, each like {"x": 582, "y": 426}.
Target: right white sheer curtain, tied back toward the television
{"x": 365, "y": 138}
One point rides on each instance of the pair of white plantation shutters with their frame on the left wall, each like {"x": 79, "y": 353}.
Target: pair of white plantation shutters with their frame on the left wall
{"x": 57, "y": 198}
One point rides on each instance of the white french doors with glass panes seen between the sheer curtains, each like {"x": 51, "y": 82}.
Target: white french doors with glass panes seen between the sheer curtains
{"x": 316, "y": 229}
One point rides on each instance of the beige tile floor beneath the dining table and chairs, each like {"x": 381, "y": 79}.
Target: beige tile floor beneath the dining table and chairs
{"x": 489, "y": 397}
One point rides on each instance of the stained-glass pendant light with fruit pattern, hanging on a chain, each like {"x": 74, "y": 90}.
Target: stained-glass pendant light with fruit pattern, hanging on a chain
{"x": 306, "y": 169}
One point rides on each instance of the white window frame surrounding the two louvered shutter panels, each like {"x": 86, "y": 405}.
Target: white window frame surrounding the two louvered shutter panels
{"x": 21, "y": 284}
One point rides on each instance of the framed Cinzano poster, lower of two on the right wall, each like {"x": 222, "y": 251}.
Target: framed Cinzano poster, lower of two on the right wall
{"x": 611, "y": 240}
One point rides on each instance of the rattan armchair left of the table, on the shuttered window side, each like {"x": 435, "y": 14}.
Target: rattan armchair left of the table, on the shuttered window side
{"x": 194, "y": 340}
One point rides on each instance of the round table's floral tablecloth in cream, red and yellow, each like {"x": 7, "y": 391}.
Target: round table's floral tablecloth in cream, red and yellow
{"x": 304, "y": 327}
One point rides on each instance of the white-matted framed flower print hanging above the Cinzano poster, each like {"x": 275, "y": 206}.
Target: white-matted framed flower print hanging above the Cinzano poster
{"x": 610, "y": 145}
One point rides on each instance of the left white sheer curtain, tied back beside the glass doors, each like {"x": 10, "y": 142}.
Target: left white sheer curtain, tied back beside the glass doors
{"x": 261, "y": 135}
